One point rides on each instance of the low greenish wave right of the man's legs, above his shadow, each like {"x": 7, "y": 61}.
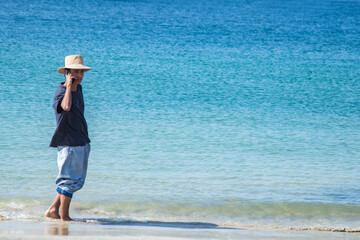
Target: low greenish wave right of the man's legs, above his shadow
{"x": 252, "y": 210}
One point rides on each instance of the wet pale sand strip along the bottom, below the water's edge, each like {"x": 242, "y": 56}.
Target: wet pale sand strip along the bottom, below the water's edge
{"x": 91, "y": 228}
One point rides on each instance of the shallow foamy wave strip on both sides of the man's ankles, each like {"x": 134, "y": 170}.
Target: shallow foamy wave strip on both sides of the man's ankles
{"x": 286, "y": 216}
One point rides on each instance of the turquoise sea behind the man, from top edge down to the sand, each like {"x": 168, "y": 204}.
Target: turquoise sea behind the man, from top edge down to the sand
{"x": 237, "y": 111}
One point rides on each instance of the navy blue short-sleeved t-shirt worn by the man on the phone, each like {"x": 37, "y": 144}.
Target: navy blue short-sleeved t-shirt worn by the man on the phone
{"x": 71, "y": 126}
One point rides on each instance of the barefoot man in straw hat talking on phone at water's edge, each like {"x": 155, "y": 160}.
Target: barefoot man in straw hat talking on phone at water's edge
{"x": 70, "y": 137}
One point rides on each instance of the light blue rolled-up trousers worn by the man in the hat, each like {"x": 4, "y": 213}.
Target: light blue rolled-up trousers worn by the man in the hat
{"x": 72, "y": 163}
